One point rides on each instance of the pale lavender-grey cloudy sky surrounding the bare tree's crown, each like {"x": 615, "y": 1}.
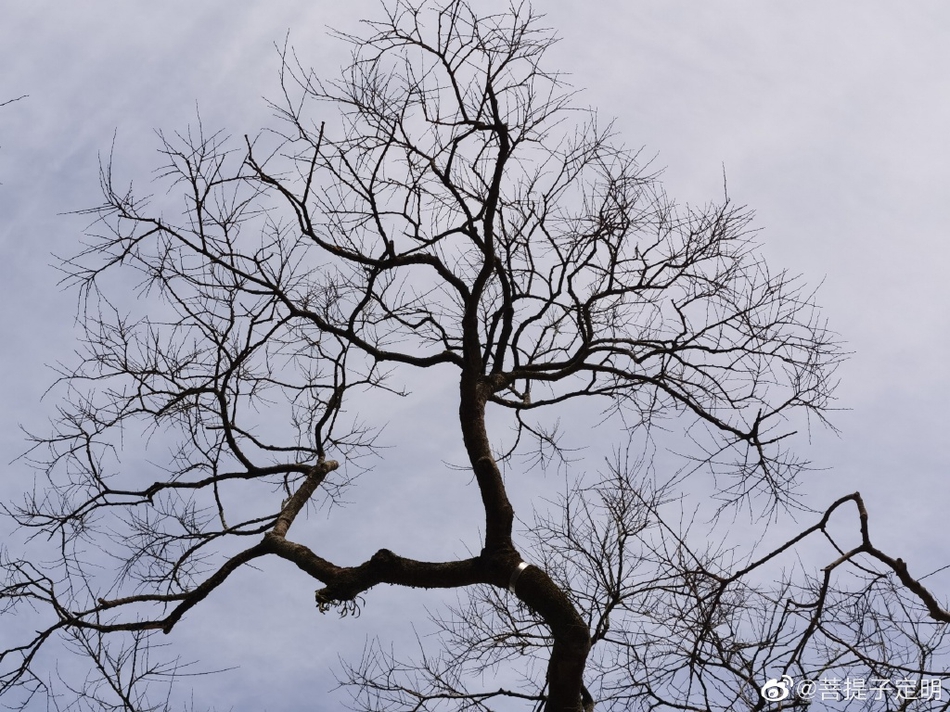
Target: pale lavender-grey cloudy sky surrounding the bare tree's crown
{"x": 830, "y": 121}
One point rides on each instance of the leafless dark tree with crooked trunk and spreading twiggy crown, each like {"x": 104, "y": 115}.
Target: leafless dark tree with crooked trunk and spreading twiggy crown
{"x": 453, "y": 211}
